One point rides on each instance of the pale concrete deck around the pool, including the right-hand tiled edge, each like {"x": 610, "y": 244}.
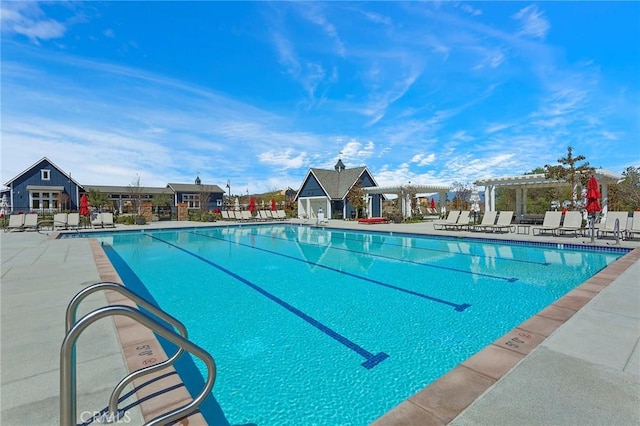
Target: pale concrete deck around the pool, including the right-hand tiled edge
{"x": 578, "y": 363}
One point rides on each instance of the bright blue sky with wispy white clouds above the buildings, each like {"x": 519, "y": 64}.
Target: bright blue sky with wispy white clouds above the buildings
{"x": 259, "y": 92}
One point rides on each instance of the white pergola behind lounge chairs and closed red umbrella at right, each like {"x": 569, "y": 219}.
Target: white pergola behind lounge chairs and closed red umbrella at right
{"x": 522, "y": 183}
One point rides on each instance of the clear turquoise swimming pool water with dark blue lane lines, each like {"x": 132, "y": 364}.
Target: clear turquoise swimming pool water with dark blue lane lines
{"x": 332, "y": 327}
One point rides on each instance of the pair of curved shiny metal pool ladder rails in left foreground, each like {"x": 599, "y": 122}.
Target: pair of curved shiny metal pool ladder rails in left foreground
{"x": 73, "y": 329}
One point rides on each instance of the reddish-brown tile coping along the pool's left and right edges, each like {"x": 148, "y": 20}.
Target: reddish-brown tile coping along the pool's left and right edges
{"x": 437, "y": 404}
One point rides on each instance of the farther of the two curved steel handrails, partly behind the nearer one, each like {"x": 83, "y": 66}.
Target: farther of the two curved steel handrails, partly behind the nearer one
{"x": 70, "y": 321}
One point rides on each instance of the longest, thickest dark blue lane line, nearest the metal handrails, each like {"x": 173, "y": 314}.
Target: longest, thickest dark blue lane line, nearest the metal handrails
{"x": 371, "y": 360}
